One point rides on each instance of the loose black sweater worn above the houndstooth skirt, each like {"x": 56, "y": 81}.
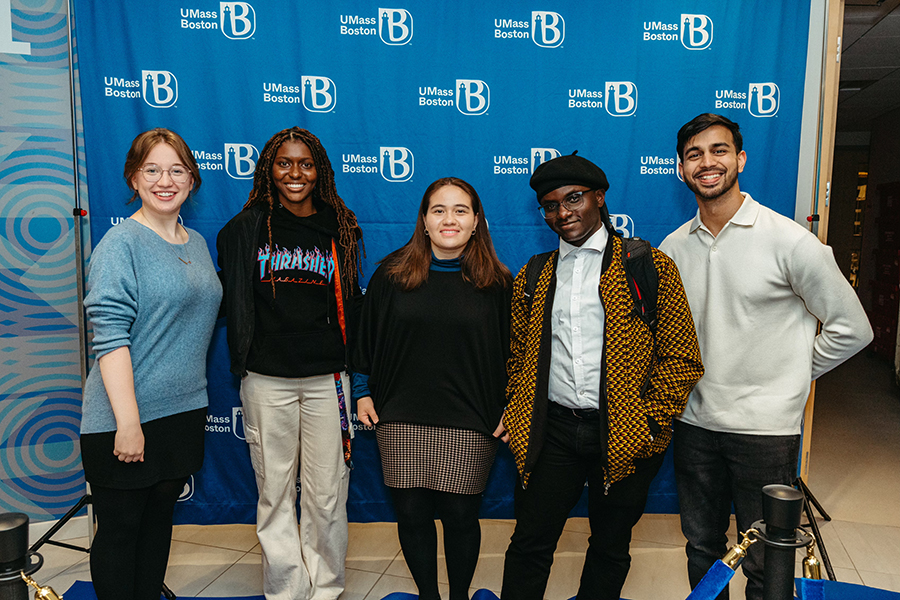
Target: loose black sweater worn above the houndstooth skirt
{"x": 435, "y": 355}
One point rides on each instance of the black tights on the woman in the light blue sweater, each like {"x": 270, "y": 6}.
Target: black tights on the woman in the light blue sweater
{"x": 131, "y": 547}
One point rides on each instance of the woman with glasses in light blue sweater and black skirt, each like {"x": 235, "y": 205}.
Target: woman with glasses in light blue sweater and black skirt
{"x": 153, "y": 300}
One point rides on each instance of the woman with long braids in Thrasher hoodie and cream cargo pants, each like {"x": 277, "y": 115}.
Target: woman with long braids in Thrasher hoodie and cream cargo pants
{"x": 289, "y": 265}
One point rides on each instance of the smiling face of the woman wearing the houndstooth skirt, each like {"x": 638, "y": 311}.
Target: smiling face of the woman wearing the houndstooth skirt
{"x": 450, "y": 221}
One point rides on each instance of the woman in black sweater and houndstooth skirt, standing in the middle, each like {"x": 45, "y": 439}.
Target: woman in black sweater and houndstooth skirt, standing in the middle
{"x": 434, "y": 338}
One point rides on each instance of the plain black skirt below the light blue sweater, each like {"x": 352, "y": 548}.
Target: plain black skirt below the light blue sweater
{"x": 173, "y": 449}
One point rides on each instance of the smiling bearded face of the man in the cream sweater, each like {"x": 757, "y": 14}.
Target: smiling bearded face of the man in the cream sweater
{"x": 710, "y": 164}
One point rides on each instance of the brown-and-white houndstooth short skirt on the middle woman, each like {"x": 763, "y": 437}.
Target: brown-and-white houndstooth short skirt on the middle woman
{"x": 443, "y": 459}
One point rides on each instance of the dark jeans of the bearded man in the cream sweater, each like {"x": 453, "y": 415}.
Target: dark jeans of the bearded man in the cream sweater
{"x": 714, "y": 470}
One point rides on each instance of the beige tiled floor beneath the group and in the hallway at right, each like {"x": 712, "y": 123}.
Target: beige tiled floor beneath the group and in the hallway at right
{"x": 855, "y": 473}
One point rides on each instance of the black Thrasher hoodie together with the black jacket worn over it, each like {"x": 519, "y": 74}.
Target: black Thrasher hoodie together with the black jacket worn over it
{"x": 296, "y": 333}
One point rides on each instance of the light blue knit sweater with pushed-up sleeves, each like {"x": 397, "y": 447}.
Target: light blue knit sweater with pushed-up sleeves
{"x": 142, "y": 296}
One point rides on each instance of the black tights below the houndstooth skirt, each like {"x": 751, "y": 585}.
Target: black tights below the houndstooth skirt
{"x": 415, "y": 508}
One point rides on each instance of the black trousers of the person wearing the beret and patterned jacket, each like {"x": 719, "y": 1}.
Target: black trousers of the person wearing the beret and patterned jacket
{"x": 572, "y": 454}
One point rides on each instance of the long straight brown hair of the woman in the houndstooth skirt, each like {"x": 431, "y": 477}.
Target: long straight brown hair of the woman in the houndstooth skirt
{"x": 408, "y": 266}
